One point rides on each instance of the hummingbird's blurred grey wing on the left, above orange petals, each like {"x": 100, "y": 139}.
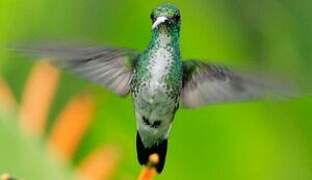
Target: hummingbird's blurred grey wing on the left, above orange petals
{"x": 111, "y": 67}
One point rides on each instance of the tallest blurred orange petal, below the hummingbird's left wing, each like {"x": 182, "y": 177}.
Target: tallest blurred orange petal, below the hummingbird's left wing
{"x": 37, "y": 97}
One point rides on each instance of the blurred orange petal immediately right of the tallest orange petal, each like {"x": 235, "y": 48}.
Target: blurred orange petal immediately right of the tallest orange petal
{"x": 71, "y": 124}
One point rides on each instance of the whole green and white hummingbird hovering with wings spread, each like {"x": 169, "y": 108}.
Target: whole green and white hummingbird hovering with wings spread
{"x": 157, "y": 79}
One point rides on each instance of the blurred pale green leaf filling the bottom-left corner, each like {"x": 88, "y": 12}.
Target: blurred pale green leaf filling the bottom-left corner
{"x": 24, "y": 157}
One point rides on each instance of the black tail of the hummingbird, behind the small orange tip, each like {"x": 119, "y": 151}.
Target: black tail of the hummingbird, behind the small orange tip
{"x": 143, "y": 152}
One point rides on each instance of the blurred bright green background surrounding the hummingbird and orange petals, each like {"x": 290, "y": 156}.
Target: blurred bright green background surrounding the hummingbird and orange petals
{"x": 255, "y": 140}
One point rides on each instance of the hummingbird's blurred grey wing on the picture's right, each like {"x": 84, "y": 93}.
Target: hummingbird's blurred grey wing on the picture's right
{"x": 207, "y": 83}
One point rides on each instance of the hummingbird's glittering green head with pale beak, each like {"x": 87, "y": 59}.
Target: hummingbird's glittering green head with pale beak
{"x": 167, "y": 16}
